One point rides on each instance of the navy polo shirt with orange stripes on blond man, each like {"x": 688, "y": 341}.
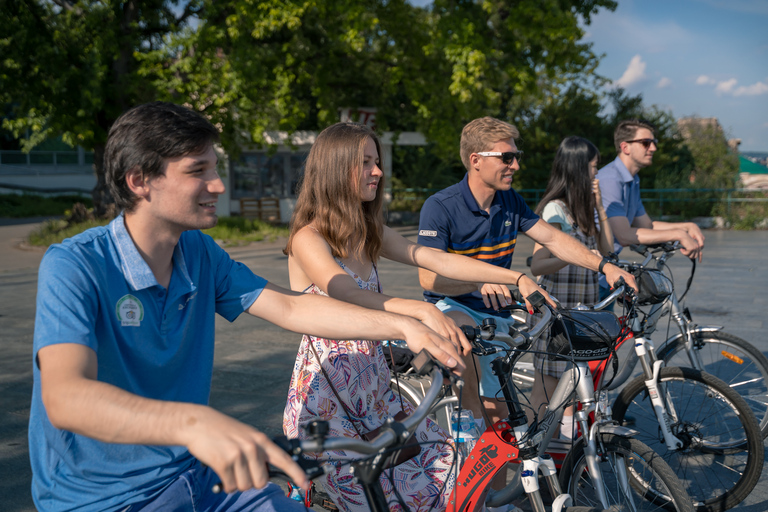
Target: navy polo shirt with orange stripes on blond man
{"x": 452, "y": 221}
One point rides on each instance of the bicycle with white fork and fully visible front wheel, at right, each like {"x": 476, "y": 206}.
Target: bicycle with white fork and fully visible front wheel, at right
{"x": 696, "y": 422}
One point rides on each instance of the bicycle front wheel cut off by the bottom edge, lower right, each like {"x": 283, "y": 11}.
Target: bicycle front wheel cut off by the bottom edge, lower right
{"x": 633, "y": 477}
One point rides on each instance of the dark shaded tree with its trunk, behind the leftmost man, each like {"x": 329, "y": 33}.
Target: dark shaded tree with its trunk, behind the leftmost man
{"x": 70, "y": 68}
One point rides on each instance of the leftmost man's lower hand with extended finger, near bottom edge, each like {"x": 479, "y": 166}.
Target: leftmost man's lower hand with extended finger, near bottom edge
{"x": 238, "y": 453}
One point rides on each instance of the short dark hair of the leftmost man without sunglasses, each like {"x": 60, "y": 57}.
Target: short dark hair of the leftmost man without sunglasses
{"x": 147, "y": 135}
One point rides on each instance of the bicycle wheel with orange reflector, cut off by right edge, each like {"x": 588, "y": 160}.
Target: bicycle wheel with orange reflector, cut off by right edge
{"x": 732, "y": 360}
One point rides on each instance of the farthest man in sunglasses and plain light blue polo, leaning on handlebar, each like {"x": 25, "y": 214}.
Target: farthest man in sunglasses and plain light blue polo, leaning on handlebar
{"x": 620, "y": 189}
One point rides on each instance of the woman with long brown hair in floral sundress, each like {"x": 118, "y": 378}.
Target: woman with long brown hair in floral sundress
{"x": 337, "y": 236}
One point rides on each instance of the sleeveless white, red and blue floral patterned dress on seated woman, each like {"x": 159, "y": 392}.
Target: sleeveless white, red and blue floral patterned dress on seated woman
{"x": 361, "y": 377}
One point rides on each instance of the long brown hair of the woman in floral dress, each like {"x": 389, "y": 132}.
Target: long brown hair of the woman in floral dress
{"x": 329, "y": 197}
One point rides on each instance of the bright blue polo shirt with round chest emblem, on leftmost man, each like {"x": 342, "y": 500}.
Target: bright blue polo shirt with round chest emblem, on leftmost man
{"x": 96, "y": 290}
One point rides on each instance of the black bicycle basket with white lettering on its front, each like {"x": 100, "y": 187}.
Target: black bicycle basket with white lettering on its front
{"x": 593, "y": 335}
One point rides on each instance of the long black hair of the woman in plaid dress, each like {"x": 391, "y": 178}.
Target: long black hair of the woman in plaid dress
{"x": 570, "y": 182}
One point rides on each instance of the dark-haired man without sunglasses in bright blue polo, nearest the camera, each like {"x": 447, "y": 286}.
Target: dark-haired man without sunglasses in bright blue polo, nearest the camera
{"x": 124, "y": 338}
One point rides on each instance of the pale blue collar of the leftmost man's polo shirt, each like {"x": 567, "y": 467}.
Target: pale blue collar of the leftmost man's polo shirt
{"x": 135, "y": 269}
